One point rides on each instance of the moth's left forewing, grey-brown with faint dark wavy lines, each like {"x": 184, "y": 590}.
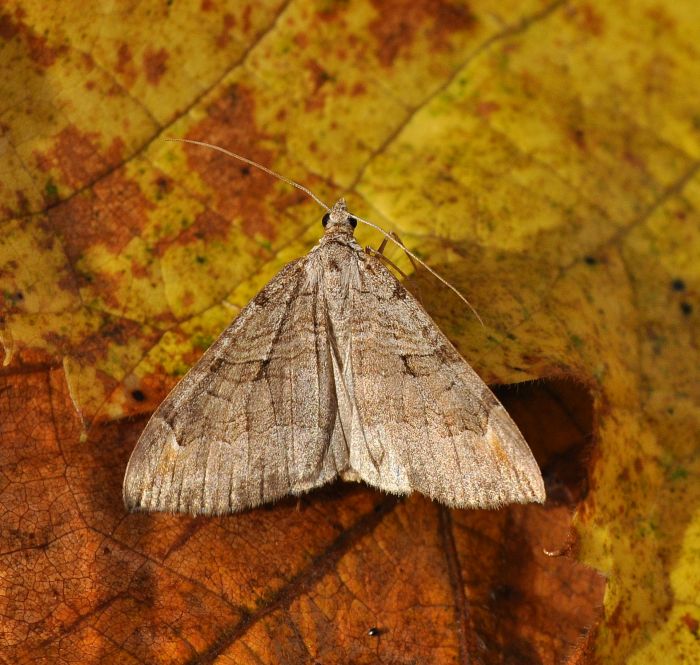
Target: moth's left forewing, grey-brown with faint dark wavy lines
{"x": 252, "y": 420}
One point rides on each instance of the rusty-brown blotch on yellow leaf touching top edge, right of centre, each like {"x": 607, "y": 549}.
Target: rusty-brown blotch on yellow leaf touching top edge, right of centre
{"x": 399, "y": 22}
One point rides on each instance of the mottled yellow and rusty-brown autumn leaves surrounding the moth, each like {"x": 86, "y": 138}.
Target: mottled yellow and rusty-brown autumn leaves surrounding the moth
{"x": 542, "y": 155}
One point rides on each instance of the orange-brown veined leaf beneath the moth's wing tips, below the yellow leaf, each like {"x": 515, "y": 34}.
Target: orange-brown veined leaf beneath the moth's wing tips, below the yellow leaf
{"x": 284, "y": 584}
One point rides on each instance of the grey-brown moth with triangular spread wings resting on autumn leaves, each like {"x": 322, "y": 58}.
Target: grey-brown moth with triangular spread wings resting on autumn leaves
{"x": 334, "y": 370}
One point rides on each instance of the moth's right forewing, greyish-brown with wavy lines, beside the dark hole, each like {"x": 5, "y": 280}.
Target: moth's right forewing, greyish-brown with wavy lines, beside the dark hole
{"x": 424, "y": 420}
